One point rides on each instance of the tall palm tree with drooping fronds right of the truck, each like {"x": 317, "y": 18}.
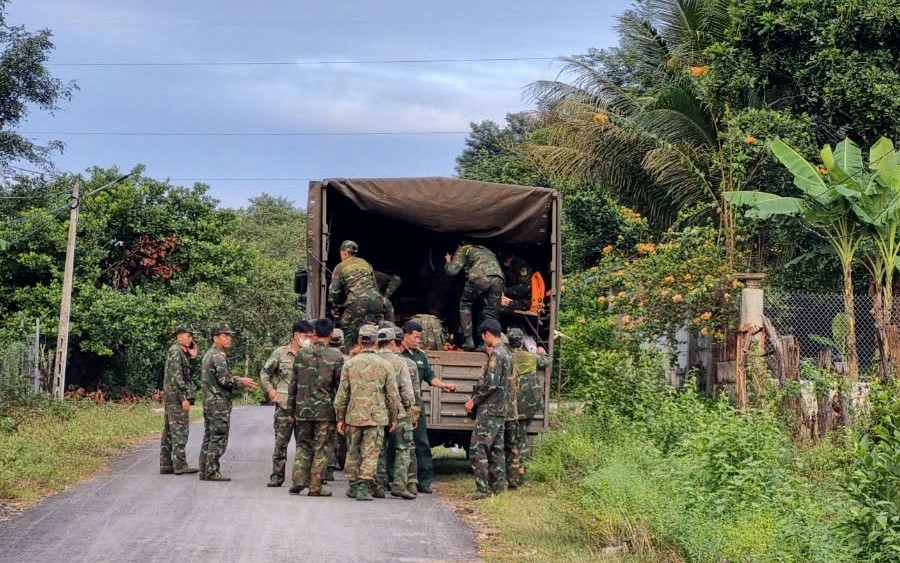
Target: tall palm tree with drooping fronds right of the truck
{"x": 652, "y": 138}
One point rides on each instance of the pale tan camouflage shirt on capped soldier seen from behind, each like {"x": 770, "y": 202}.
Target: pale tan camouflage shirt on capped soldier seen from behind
{"x": 365, "y": 396}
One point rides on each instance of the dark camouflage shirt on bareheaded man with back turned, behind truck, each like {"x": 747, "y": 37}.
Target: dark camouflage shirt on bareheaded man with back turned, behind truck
{"x": 315, "y": 379}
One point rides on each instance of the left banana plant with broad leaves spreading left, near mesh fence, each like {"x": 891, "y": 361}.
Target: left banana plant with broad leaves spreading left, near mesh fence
{"x": 827, "y": 205}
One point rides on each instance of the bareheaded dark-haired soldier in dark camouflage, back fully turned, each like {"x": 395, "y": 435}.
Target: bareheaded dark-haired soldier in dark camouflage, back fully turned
{"x": 316, "y": 376}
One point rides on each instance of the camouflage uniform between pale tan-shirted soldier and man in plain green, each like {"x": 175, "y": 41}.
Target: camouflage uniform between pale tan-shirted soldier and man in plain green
{"x": 399, "y": 444}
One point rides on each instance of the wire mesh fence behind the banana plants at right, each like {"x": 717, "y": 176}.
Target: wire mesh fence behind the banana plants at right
{"x": 811, "y": 318}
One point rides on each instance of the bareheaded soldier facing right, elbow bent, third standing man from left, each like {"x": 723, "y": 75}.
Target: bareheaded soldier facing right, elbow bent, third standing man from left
{"x": 275, "y": 377}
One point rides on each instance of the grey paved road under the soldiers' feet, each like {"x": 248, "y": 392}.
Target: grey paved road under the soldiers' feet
{"x": 132, "y": 513}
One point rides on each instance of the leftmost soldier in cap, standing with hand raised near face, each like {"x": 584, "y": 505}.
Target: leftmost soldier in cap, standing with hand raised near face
{"x": 178, "y": 394}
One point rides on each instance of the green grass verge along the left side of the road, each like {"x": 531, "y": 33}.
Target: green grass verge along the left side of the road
{"x": 45, "y": 450}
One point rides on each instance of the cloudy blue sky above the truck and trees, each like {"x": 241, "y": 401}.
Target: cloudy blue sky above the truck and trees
{"x": 271, "y": 128}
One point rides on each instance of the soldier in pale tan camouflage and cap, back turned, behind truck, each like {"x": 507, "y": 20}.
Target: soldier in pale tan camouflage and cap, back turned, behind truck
{"x": 366, "y": 402}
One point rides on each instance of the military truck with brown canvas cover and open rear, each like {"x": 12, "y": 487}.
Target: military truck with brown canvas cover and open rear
{"x": 404, "y": 227}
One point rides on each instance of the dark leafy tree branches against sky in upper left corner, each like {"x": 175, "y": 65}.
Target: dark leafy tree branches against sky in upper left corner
{"x": 24, "y": 82}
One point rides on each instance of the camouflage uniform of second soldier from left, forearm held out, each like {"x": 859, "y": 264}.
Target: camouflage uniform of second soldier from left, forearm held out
{"x": 218, "y": 384}
